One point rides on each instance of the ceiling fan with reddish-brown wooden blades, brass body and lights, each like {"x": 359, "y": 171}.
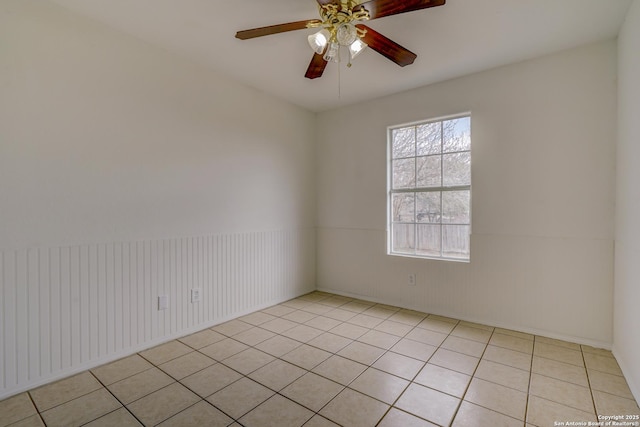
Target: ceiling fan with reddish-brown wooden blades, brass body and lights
{"x": 341, "y": 26}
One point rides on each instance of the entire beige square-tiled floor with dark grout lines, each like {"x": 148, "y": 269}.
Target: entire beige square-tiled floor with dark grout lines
{"x": 324, "y": 360}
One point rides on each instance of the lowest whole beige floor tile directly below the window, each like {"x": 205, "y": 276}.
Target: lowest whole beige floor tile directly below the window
{"x": 429, "y": 404}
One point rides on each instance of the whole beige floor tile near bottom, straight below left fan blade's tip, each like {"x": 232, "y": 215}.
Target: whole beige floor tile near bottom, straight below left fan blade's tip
{"x": 240, "y": 397}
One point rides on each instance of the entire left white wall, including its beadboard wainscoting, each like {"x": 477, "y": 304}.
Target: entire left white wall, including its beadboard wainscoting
{"x": 125, "y": 173}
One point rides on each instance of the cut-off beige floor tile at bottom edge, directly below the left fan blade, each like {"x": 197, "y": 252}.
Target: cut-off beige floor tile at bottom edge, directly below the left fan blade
{"x": 278, "y": 411}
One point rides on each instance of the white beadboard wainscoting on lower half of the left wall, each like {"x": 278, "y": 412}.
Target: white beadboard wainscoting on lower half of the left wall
{"x": 65, "y": 309}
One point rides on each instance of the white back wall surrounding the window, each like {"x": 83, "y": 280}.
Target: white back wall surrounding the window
{"x": 543, "y": 176}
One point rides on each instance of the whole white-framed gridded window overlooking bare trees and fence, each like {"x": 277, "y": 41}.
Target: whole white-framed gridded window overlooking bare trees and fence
{"x": 430, "y": 189}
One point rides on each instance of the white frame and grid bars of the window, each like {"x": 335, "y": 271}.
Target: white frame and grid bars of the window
{"x": 442, "y": 188}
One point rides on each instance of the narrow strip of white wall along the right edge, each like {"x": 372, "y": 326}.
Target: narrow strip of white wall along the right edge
{"x": 626, "y": 337}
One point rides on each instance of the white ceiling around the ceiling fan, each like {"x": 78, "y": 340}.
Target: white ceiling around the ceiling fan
{"x": 461, "y": 37}
